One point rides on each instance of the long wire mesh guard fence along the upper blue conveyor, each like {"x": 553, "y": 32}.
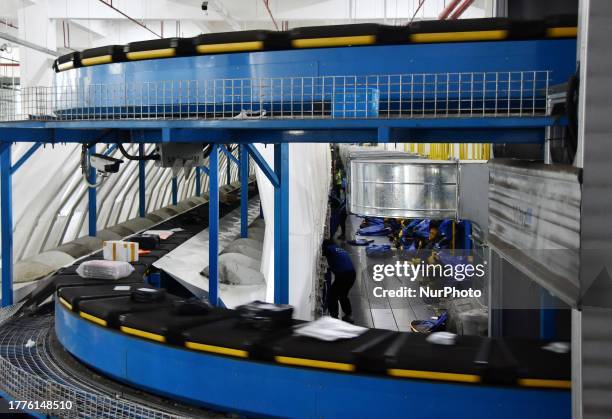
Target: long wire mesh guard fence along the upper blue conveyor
{"x": 469, "y": 94}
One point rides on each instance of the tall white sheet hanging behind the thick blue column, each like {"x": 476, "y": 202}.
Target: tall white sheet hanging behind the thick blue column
{"x": 309, "y": 179}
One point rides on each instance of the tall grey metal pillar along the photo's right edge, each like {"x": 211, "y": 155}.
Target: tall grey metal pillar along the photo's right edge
{"x": 592, "y": 373}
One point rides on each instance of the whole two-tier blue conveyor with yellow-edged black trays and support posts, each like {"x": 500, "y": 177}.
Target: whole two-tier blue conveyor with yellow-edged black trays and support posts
{"x": 476, "y": 80}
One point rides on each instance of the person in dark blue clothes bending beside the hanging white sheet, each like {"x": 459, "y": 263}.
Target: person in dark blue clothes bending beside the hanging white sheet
{"x": 341, "y": 265}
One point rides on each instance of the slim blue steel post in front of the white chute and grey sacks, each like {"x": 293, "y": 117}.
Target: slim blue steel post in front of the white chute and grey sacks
{"x": 213, "y": 225}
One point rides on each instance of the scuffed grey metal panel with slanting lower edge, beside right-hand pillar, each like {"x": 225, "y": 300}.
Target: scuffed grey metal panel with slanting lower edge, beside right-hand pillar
{"x": 534, "y": 222}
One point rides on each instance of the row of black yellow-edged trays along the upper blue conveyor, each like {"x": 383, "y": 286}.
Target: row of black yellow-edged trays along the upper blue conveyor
{"x": 461, "y": 30}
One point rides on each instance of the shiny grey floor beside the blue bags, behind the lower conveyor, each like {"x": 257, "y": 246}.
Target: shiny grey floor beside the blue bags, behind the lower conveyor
{"x": 383, "y": 313}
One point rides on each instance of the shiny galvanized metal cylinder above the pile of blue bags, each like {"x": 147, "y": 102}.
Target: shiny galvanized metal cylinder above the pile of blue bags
{"x": 407, "y": 187}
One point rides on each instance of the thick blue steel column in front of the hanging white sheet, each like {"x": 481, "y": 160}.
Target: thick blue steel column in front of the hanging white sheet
{"x": 281, "y": 224}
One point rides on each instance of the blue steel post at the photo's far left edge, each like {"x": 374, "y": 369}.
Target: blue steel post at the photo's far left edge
{"x": 6, "y": 197}
